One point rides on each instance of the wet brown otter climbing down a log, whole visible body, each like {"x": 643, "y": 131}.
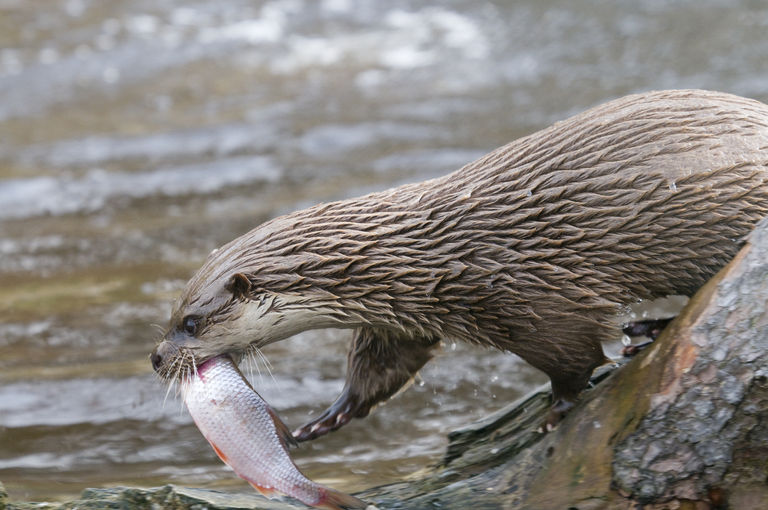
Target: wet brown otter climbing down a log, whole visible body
{"x": 535, "y": 249}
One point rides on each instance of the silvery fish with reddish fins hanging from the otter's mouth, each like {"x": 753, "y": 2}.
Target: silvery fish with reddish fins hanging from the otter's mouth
{"x": 249, "y": 436}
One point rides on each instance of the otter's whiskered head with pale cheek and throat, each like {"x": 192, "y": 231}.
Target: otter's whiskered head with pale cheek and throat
{"x": 222, "y": 311}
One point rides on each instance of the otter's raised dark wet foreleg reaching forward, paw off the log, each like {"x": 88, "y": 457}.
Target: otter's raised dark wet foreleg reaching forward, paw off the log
{"x": 380, "y": 362}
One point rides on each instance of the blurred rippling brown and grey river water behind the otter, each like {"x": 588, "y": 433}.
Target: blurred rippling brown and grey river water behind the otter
{"x": 136, "y": 136}
